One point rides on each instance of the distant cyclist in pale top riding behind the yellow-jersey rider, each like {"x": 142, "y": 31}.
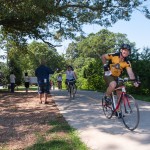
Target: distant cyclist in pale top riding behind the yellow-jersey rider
{"x": 70, "y": 75}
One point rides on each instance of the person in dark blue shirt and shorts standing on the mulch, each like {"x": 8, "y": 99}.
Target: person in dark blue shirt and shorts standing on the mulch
{"x": 43, "y": 74}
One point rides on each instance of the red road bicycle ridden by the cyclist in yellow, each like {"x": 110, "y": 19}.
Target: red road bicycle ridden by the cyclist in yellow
{"x": 125, "y": 105}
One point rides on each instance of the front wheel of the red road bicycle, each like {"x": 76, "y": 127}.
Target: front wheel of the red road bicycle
{"x": 130, "y": 112}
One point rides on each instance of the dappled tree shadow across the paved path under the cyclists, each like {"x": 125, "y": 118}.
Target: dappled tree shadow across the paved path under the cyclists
{"x": 86, "y": 112}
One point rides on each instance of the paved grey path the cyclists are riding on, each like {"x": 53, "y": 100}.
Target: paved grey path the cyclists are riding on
{"x": 85, "y": 114}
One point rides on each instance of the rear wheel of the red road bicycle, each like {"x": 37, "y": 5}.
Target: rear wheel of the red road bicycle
{"x": 107, "y": 109}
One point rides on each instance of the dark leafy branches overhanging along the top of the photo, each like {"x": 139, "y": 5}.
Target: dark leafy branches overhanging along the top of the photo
{"x": 51, "y": 19}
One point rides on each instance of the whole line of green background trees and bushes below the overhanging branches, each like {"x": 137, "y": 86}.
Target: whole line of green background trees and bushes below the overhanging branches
{"x": 84, "y": 55}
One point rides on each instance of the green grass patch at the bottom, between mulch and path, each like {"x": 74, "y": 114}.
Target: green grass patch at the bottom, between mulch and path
{"x": 61, "y": 137}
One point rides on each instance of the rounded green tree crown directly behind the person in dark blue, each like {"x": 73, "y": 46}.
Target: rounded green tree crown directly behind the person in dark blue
{"x": 38, "y": 51}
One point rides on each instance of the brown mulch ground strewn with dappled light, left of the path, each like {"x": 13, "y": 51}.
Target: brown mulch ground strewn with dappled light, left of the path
{"x": 21, "y": 117}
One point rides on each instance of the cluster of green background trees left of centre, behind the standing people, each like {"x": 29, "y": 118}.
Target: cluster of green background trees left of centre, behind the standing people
{"x": 28, "y": 60}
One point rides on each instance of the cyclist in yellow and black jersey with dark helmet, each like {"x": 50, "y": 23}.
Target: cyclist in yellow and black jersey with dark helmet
{"x": 113, "y": 69}
